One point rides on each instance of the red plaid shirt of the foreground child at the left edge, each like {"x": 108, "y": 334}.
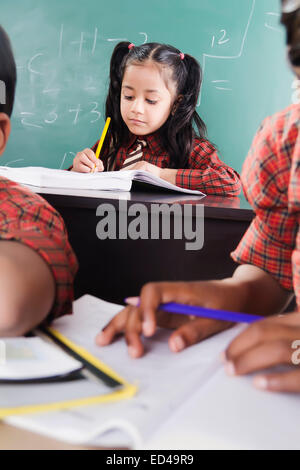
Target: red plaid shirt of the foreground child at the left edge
{"x": 27, "y": 218}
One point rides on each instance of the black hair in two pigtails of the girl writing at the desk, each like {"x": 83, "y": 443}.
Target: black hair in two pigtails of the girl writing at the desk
{"x": 177, "y": 133}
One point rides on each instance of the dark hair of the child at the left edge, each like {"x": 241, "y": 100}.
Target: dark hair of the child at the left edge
{"x": 8, "y": 74}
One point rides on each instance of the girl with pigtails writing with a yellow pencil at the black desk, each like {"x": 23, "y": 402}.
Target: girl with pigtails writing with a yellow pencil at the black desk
{"x": 152, "y": 100}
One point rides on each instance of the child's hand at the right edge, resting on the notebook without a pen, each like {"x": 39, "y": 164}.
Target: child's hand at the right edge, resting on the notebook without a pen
{"x": 264, "y": 344}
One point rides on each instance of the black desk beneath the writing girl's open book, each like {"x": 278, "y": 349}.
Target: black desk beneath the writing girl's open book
{"x": 113, "y": 269}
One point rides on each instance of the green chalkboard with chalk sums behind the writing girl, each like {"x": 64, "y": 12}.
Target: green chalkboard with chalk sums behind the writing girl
{"x": 63, "y": 48}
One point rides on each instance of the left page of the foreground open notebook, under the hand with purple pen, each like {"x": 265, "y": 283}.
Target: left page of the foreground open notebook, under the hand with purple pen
{"x": 165, "y": 381}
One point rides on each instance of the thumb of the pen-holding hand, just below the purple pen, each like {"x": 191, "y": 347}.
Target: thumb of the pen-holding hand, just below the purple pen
{"x": 194, "y": 331}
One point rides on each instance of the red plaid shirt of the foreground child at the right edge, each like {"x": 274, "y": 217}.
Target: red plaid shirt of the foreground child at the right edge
{"x": 271, "y": 182}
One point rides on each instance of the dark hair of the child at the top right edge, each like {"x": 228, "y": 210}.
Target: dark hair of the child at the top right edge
{"x": 290, "y": 18}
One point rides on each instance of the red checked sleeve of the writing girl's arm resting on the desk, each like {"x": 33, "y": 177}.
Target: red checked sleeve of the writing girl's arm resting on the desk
{"x": 207, "y": 173}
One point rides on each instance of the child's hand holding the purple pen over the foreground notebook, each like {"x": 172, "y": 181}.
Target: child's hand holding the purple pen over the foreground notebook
{"x": 135, "y": 321}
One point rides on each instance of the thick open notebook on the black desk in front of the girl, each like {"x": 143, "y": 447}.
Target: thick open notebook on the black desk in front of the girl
{"x": 108, "y": 180}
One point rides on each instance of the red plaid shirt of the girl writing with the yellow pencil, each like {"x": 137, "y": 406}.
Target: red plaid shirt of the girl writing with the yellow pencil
{"x": 206, "y": 171}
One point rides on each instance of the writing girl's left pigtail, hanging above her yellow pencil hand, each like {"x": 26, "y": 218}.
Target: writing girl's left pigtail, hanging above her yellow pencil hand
{"x": 118, "y": 131}
